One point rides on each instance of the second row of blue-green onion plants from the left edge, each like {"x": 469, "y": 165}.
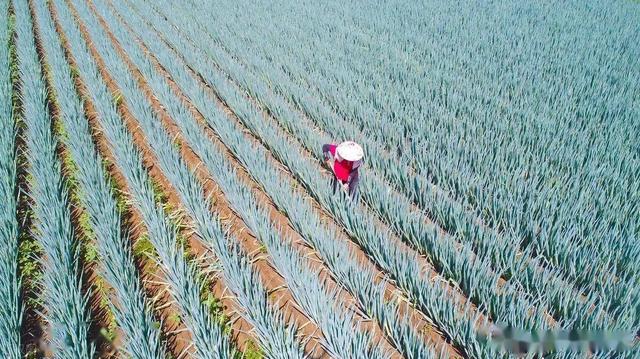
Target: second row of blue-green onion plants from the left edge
{"x": 64, "y": 304}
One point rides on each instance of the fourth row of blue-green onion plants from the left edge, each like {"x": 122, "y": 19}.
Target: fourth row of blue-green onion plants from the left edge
{"x": 207, "y": 336}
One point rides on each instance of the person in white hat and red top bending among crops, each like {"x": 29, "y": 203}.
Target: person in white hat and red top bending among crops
{"x": 347, "y": 159}
